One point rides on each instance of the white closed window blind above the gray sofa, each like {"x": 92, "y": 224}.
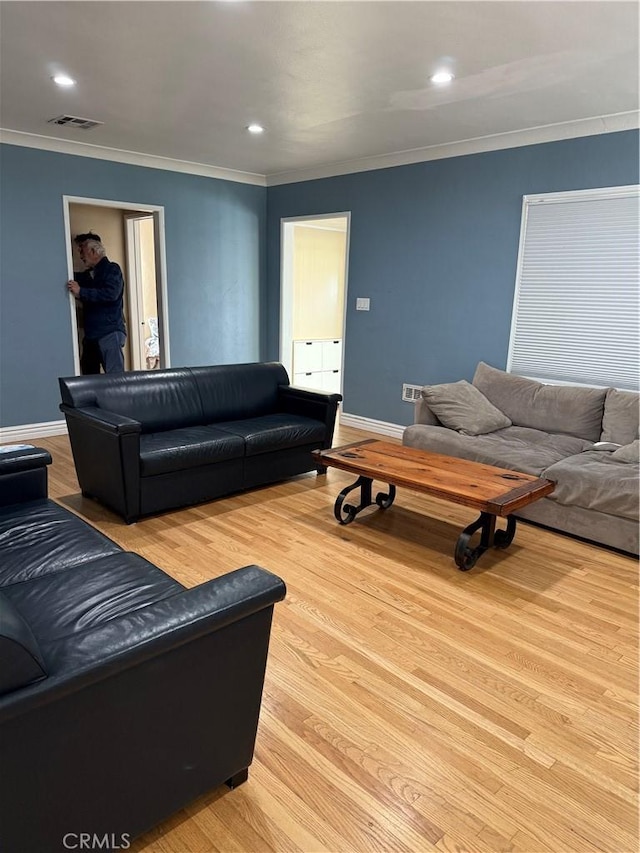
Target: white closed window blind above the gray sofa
{"x": 576, "y": 309}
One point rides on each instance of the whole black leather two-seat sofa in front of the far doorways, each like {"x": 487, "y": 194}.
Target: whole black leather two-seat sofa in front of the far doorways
{"x": 148, "y": 441}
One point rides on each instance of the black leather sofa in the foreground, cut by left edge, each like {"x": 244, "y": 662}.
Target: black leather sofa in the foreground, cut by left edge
{"x": 123, "y": 695}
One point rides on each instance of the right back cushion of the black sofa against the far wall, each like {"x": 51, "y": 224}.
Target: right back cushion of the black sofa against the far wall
{"x": 235, "y": 391}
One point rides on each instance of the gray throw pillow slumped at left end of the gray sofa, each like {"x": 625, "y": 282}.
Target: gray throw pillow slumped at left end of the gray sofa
{"x": 460, "y": 406}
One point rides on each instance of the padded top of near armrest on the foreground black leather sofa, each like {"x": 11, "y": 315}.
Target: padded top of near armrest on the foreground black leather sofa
{"x": 136, "y": 638}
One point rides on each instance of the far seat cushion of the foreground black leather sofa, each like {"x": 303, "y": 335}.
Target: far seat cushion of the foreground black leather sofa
{"x": 39, "y": 537}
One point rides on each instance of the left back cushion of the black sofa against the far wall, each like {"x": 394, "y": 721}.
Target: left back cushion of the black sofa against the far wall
{"x": 162, "y": 399}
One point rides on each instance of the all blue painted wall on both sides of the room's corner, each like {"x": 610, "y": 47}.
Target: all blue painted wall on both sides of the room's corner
{"x": 434, "y": 245}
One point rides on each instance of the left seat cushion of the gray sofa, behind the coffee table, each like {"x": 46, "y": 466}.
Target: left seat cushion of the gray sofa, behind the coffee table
{"x": 517, "y": 448}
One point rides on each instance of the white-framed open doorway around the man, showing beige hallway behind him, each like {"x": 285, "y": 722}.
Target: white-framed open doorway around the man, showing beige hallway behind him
{"x": 133, "y": 236}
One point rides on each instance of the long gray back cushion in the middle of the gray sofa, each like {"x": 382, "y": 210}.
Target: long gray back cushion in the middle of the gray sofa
{"x": 552, "y": 408}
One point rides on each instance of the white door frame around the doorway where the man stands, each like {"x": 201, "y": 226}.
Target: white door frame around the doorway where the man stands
{"x": 157, "y": 212}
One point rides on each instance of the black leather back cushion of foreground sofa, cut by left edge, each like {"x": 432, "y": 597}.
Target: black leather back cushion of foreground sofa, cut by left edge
{"x": 22, "y": 662}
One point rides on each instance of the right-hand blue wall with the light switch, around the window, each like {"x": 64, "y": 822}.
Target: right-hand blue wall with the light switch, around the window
{"x": 435, "y": 245}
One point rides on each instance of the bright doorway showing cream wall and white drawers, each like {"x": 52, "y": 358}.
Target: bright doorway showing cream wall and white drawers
{"x": 314, "y": 275}
